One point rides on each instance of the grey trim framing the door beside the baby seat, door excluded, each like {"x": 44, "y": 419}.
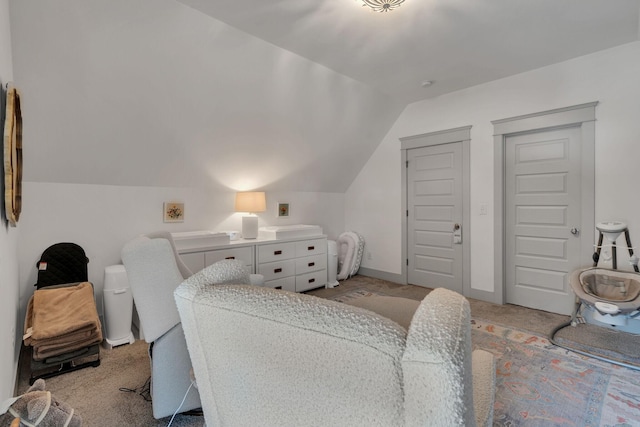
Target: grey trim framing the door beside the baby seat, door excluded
{"x": 582, "y": 116}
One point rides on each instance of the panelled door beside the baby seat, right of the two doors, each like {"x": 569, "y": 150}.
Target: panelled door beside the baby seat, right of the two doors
{"x": 542, "y": 217}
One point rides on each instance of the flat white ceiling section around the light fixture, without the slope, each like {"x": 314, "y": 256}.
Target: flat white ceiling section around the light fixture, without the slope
{"x": 455, "y": 43}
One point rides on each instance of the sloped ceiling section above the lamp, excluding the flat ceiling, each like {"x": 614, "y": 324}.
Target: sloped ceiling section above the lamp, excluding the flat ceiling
{"x": 154, "y": 93}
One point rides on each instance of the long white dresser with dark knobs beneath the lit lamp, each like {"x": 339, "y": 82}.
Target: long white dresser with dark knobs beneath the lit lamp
{"x": 295, "y": 264}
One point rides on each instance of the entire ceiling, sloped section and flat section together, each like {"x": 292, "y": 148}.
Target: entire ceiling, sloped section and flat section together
{"x": 280, "y": 94}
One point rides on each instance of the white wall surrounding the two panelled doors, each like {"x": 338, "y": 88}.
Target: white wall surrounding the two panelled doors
{"x": 372, "y": 203}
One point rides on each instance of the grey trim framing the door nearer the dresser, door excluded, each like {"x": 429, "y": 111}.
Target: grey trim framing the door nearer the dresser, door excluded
{"x": 449, "y": 136}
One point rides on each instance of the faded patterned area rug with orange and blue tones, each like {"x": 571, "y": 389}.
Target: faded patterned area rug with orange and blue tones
{"x": 539, "y": 384}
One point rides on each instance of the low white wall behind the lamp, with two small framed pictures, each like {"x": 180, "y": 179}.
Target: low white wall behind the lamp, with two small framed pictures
{"x": 102, "y": 218}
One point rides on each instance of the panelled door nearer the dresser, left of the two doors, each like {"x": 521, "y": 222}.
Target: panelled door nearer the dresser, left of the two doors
{"x": 434, "y": 210}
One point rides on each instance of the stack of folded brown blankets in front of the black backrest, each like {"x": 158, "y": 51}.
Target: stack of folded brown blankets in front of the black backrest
{"x": 60, "y": 320}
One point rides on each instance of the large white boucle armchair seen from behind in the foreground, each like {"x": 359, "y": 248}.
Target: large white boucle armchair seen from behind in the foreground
{"x": 276, "y": 358}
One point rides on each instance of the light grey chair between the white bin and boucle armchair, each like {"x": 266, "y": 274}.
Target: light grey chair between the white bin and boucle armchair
{"x": 154, "y": 270}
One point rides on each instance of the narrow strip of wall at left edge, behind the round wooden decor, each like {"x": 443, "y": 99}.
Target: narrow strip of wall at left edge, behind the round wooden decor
{"x": 9, "y": 313}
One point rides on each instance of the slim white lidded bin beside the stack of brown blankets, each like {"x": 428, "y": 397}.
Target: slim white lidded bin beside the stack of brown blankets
{"x": 117, "y": 307}
